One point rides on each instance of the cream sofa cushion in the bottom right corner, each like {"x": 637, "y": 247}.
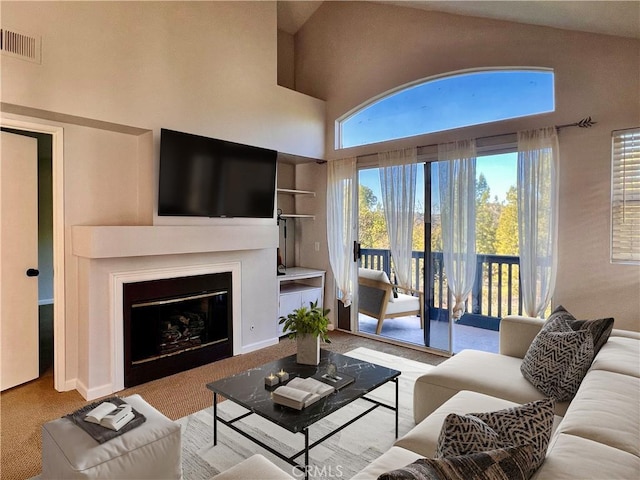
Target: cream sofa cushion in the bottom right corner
{"x": 572, "y": 458}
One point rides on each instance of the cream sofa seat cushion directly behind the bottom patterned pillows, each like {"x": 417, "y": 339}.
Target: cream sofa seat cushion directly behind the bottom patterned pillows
{"x": 423, "y": 438}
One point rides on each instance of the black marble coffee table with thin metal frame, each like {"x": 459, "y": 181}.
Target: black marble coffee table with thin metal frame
{"x": 248, "y": 390}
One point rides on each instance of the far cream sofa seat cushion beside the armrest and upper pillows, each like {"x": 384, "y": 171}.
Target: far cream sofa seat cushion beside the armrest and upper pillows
{"x": 483, "y": 372}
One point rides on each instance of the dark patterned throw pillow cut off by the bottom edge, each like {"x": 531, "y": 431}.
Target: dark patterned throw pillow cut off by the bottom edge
{"x": 512, "y": 463}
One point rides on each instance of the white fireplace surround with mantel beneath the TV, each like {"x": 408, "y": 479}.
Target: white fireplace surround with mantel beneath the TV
{"x": 108, "y": 257}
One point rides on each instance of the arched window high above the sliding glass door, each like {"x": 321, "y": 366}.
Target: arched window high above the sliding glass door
{"x": 446, "y": 102}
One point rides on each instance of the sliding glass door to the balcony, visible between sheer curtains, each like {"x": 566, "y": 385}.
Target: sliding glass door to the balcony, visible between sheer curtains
{"x": 496, "y": 287}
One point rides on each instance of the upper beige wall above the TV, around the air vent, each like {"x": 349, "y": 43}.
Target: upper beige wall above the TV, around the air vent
{"x": 208, "y": 68}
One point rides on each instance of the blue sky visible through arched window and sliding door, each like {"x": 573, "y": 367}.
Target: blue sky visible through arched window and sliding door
{"x": 451, "y": 102}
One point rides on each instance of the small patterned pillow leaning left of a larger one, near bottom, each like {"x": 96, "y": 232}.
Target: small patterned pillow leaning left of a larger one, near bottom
{"x": 465, "y": 434}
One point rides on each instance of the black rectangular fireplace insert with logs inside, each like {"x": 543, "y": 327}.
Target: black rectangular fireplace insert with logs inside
{"x": 176, "y": 324}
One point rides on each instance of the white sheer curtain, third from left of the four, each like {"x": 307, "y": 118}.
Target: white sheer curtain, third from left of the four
{"x": 457, "y": 189}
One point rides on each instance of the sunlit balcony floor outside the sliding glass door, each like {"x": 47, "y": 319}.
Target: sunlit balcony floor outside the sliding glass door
{"x": 407, "y": 329}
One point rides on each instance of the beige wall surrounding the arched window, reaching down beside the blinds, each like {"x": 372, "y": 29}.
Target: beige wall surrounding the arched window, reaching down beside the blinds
{"x": 350, "y": 52}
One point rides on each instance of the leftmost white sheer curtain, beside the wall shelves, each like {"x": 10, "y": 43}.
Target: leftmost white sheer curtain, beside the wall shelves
{"x": 342, "y": 184}
